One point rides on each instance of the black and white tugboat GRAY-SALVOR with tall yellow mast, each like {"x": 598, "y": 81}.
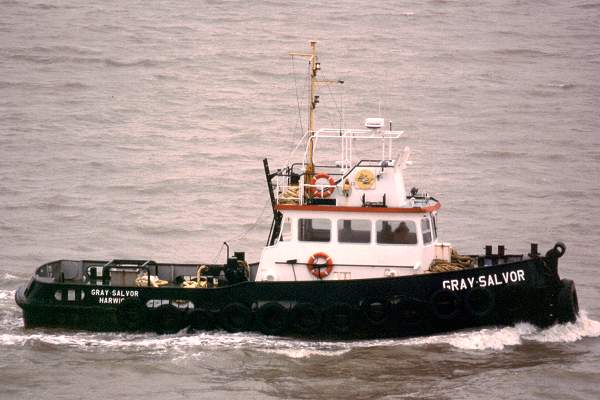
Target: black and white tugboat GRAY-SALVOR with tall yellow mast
{"x": 350, "y": 255}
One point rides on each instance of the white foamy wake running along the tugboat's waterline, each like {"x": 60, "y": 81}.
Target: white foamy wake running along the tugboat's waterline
{"x": 184, "y": 345}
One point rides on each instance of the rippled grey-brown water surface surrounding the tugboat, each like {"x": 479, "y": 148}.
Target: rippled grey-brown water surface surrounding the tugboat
{"x": 137, "y": 129}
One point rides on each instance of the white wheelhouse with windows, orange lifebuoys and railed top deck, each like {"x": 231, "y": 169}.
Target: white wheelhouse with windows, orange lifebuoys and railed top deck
{"x": 352, "y": 214}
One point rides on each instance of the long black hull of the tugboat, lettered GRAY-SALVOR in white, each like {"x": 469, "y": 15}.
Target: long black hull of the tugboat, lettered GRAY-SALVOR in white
{"x": 528, "y": 290}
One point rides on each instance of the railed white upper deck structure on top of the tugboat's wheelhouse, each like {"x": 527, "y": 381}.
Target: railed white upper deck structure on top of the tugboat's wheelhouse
{"x": 343, "y": 180}
